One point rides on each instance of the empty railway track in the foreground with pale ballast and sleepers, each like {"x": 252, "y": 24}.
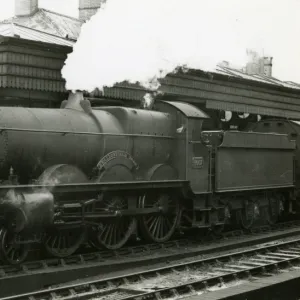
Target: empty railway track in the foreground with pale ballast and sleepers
{"x": 191, "y": 278}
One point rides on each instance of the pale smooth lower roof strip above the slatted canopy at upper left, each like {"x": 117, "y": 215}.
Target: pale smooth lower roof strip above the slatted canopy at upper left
{"x": 19, "y": 31}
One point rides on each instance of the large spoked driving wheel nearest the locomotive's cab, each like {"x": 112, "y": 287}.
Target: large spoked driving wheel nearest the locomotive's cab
{"x": 161, "y": 226}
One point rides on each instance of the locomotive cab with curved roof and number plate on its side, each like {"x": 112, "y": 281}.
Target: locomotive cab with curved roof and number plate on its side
{"x": 191, "y": 156}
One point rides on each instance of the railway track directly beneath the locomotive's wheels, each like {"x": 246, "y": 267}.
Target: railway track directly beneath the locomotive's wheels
{"x": 141, "y": 249}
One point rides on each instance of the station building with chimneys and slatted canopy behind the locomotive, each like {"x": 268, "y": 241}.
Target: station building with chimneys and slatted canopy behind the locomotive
{"x": 35, "y": 43}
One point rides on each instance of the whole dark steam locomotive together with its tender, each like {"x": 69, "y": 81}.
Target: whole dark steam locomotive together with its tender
{"x": 103, "y": 174}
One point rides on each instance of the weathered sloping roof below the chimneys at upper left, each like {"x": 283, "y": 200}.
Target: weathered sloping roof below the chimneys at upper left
{"x": 49, "y": 22}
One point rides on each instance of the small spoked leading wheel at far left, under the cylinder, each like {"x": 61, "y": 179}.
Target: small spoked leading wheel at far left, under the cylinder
{"x": 12, "y": 252}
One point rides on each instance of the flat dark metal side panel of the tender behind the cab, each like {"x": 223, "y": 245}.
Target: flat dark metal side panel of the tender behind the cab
{"x": 254, "y": 161}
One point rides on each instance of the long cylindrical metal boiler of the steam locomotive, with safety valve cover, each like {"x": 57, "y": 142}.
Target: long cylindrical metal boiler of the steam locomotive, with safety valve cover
{"x": 35, "y": 139}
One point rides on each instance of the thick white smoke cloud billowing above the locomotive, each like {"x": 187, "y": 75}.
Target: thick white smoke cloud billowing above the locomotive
{"x": 143, "y": 40}
